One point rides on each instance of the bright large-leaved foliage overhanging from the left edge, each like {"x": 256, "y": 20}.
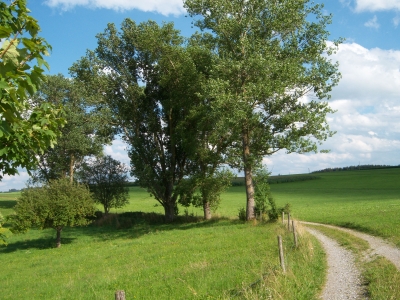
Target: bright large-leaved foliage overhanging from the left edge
{"x": 25, "y": 130}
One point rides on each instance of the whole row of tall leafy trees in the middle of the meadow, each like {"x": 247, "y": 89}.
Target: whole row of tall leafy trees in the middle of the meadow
{"x": 250, "y": 83}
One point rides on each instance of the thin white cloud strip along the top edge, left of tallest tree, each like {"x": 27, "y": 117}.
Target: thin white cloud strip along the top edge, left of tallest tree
{"x": 164, "y": 7}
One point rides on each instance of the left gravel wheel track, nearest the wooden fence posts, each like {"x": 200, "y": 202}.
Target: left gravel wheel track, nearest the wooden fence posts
{"x": 344, "y": 279}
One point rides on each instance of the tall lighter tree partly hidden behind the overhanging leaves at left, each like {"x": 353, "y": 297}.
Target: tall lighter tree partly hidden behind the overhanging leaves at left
{"x": 84, "y": 134}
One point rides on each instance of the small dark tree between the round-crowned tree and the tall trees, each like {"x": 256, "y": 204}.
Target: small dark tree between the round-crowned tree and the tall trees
{"x": 107, "y": 179}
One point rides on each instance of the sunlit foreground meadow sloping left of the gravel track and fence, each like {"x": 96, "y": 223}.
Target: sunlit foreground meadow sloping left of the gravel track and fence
{"x": 219, "y": 259}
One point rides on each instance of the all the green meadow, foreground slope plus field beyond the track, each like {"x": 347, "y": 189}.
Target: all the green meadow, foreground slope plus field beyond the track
{"x": 193, "y": 259}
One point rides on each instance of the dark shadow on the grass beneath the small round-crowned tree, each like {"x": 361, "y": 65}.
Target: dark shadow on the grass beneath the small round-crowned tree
{"x": 38, "y": 244}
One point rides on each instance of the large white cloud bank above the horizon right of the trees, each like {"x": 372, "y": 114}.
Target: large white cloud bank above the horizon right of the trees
{"x": 366, "y": 121}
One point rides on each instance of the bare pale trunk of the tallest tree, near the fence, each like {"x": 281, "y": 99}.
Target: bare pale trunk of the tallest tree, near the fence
{"x": 248, "y": 177}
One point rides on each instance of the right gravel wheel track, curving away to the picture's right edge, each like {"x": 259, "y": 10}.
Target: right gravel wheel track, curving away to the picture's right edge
{"x": 377, "y": 245}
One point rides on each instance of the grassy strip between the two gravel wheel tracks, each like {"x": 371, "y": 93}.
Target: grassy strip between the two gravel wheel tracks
{"x": 382, "y": 278}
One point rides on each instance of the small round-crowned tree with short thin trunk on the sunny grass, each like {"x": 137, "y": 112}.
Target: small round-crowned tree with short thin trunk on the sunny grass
{"x": 57, "y": 204}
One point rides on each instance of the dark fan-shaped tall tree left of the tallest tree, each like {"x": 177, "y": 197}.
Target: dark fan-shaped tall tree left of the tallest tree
{"x": 150, "y": 82}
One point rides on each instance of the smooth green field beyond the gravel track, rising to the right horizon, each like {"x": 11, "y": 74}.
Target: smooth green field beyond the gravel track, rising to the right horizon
{"x": 366, "y": 200}
